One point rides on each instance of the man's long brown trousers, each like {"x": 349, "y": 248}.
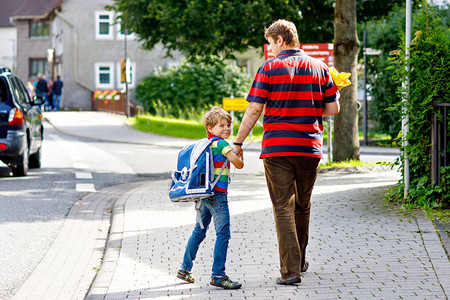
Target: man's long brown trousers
{"x": 290, "y": 181}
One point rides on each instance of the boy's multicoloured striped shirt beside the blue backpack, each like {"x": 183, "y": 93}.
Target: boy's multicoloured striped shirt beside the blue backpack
{"x": 220, "y": 148}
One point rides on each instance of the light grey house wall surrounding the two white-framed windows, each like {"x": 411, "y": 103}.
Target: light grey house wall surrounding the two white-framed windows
{"x": 81, "y": 51}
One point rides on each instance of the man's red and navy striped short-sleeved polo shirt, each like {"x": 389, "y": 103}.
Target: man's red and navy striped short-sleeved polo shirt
{"x": 294, "y": 88}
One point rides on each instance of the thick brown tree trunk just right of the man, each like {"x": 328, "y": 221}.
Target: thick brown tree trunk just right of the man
{"x": 346, "y": 48}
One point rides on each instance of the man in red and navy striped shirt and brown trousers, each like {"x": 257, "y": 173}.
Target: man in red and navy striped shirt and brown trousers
{"x": 297, "y": 91}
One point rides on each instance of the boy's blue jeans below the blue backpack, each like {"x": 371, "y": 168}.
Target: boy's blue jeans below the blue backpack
{"x": 214, "y": 207}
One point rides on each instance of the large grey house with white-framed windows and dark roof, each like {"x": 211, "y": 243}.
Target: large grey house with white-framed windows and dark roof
{"x": 80, "y": 41}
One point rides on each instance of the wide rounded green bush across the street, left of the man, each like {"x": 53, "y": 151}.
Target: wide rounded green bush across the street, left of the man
{"x": 188, "y": 90}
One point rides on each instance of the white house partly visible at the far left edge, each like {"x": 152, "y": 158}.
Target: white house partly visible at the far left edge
{"x": 8, "y": 34}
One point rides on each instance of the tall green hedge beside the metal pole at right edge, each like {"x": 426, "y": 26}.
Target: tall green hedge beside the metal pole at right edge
{"x": 429, "y": 81}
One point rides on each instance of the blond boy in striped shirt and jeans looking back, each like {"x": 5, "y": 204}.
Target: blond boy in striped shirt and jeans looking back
{"x": 218, "y": 127}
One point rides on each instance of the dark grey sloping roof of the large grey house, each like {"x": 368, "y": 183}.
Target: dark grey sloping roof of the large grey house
{"x": 28, "y": 9}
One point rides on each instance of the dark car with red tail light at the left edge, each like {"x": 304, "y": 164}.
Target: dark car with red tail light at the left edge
{"x": 21, "y": 129}
